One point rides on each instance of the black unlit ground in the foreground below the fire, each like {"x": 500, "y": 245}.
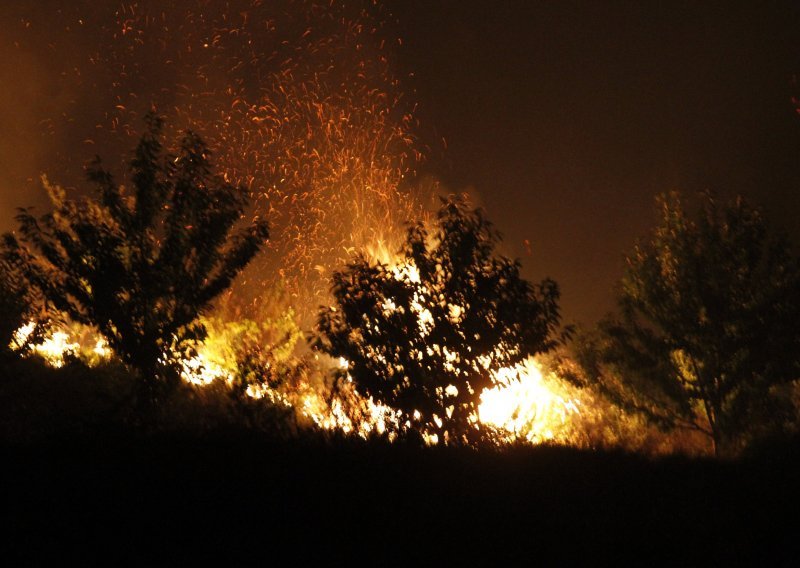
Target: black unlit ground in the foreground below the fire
{"x": 236, "y": 498}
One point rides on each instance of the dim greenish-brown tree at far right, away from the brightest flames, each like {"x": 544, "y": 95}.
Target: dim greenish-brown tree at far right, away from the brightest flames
{"x": 710, "y": 323}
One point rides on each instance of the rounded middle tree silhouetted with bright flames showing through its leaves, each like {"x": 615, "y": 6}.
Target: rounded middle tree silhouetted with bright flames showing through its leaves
{"x": 425, "y": 335}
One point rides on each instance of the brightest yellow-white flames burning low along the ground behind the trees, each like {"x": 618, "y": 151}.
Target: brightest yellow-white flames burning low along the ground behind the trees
{"x": 525, "y": 405}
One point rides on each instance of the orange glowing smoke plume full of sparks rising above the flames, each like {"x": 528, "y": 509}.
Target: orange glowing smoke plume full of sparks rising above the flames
{"x": 299, "y": 98}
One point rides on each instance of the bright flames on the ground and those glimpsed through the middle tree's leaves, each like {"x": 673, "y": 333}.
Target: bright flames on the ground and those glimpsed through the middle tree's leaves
{"x": 526, "y": 404}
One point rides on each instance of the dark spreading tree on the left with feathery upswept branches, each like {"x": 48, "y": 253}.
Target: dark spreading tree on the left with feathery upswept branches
{"x": 141, "y": 265}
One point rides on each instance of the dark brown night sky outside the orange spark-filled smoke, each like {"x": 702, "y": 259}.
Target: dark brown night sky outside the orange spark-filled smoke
{"x": 563, "y": 119}
